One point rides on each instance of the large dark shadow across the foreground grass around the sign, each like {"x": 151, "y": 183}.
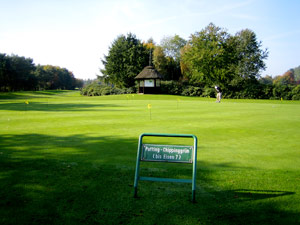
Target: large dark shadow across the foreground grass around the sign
{"x": 79, "y": 179}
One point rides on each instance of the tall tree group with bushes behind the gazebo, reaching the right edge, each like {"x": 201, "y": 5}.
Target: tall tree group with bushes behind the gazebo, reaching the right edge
{"x": 209, "y": 57}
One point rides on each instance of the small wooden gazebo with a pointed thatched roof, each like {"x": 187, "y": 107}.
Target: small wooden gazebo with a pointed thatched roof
{"x": 149, "y": 80}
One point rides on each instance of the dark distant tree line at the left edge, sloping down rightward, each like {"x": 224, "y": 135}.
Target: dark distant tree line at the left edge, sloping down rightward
{"x": 18, "y": 73}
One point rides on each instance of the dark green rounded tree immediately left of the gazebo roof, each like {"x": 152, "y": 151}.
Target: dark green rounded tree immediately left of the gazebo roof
{"x": 126, "y": 58}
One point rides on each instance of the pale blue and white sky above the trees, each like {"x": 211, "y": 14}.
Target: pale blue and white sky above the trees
{"x": 76, "y": 34}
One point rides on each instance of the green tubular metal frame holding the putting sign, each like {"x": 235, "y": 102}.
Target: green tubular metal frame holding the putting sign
{"x": 139, "y": 158}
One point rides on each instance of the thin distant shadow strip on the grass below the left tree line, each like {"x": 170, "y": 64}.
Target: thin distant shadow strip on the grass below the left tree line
{"x": 53, "y": 107}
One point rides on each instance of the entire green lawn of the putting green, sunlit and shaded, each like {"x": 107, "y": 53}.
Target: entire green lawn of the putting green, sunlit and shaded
{"x": 68, "y": 159}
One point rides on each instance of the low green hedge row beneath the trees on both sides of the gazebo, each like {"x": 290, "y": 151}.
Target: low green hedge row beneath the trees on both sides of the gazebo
{"x": 250, "y": 89}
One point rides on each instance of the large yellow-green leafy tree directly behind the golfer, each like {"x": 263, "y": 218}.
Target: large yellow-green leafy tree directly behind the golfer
{"x": 205, "y": 57}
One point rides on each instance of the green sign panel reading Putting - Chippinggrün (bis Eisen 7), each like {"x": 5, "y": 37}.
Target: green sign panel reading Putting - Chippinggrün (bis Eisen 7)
{"x": 167, "y": 153}
